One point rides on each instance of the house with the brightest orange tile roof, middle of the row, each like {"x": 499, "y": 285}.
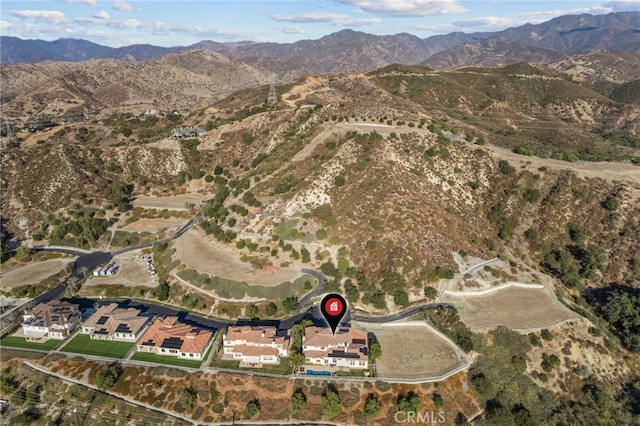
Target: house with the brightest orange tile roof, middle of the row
{"x": 167, "y": 336}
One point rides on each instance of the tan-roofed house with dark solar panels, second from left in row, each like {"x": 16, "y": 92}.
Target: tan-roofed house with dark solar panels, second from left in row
{"x": 110, "y": 322}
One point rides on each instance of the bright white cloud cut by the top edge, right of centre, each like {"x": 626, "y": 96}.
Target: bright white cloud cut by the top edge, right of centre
{"x": 407, "y": 8}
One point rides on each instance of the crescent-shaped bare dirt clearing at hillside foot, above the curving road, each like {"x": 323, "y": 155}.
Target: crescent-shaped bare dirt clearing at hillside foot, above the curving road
{"x": 215, "y": 259}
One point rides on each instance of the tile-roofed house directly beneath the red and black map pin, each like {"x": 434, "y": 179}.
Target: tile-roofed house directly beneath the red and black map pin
{"x": 348, "y": 348}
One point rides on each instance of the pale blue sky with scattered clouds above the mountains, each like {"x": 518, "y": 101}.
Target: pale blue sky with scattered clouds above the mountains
{"x": 178, "y": 23}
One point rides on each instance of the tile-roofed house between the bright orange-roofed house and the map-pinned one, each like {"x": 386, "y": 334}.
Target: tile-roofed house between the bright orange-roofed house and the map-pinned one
{"x": 255, "y": 345}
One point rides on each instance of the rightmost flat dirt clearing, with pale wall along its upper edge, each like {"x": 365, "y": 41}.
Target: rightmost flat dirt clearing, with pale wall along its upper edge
{"x": 512, "y": 307}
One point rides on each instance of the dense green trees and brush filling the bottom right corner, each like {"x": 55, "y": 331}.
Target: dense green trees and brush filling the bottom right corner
{"x": 510, "y": 397}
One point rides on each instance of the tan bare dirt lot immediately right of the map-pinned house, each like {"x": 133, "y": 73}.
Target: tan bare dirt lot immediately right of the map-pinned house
{"x": 411, "y": 351}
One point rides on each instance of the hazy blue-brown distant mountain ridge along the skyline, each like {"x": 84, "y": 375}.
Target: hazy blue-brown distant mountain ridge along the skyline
{"x": 349, "y": 50}
